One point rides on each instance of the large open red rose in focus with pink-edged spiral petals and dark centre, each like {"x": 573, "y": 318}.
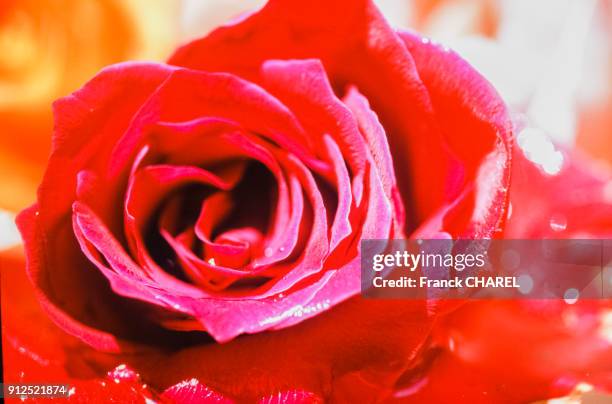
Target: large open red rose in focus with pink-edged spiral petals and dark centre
{"x": 230, "y": 194}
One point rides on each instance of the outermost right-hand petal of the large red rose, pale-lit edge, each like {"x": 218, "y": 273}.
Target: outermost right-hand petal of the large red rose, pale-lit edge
{"x": 464, "y": 103}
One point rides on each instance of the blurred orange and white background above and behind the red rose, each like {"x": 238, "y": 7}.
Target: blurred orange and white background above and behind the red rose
{"x": 551, "y": 60}
